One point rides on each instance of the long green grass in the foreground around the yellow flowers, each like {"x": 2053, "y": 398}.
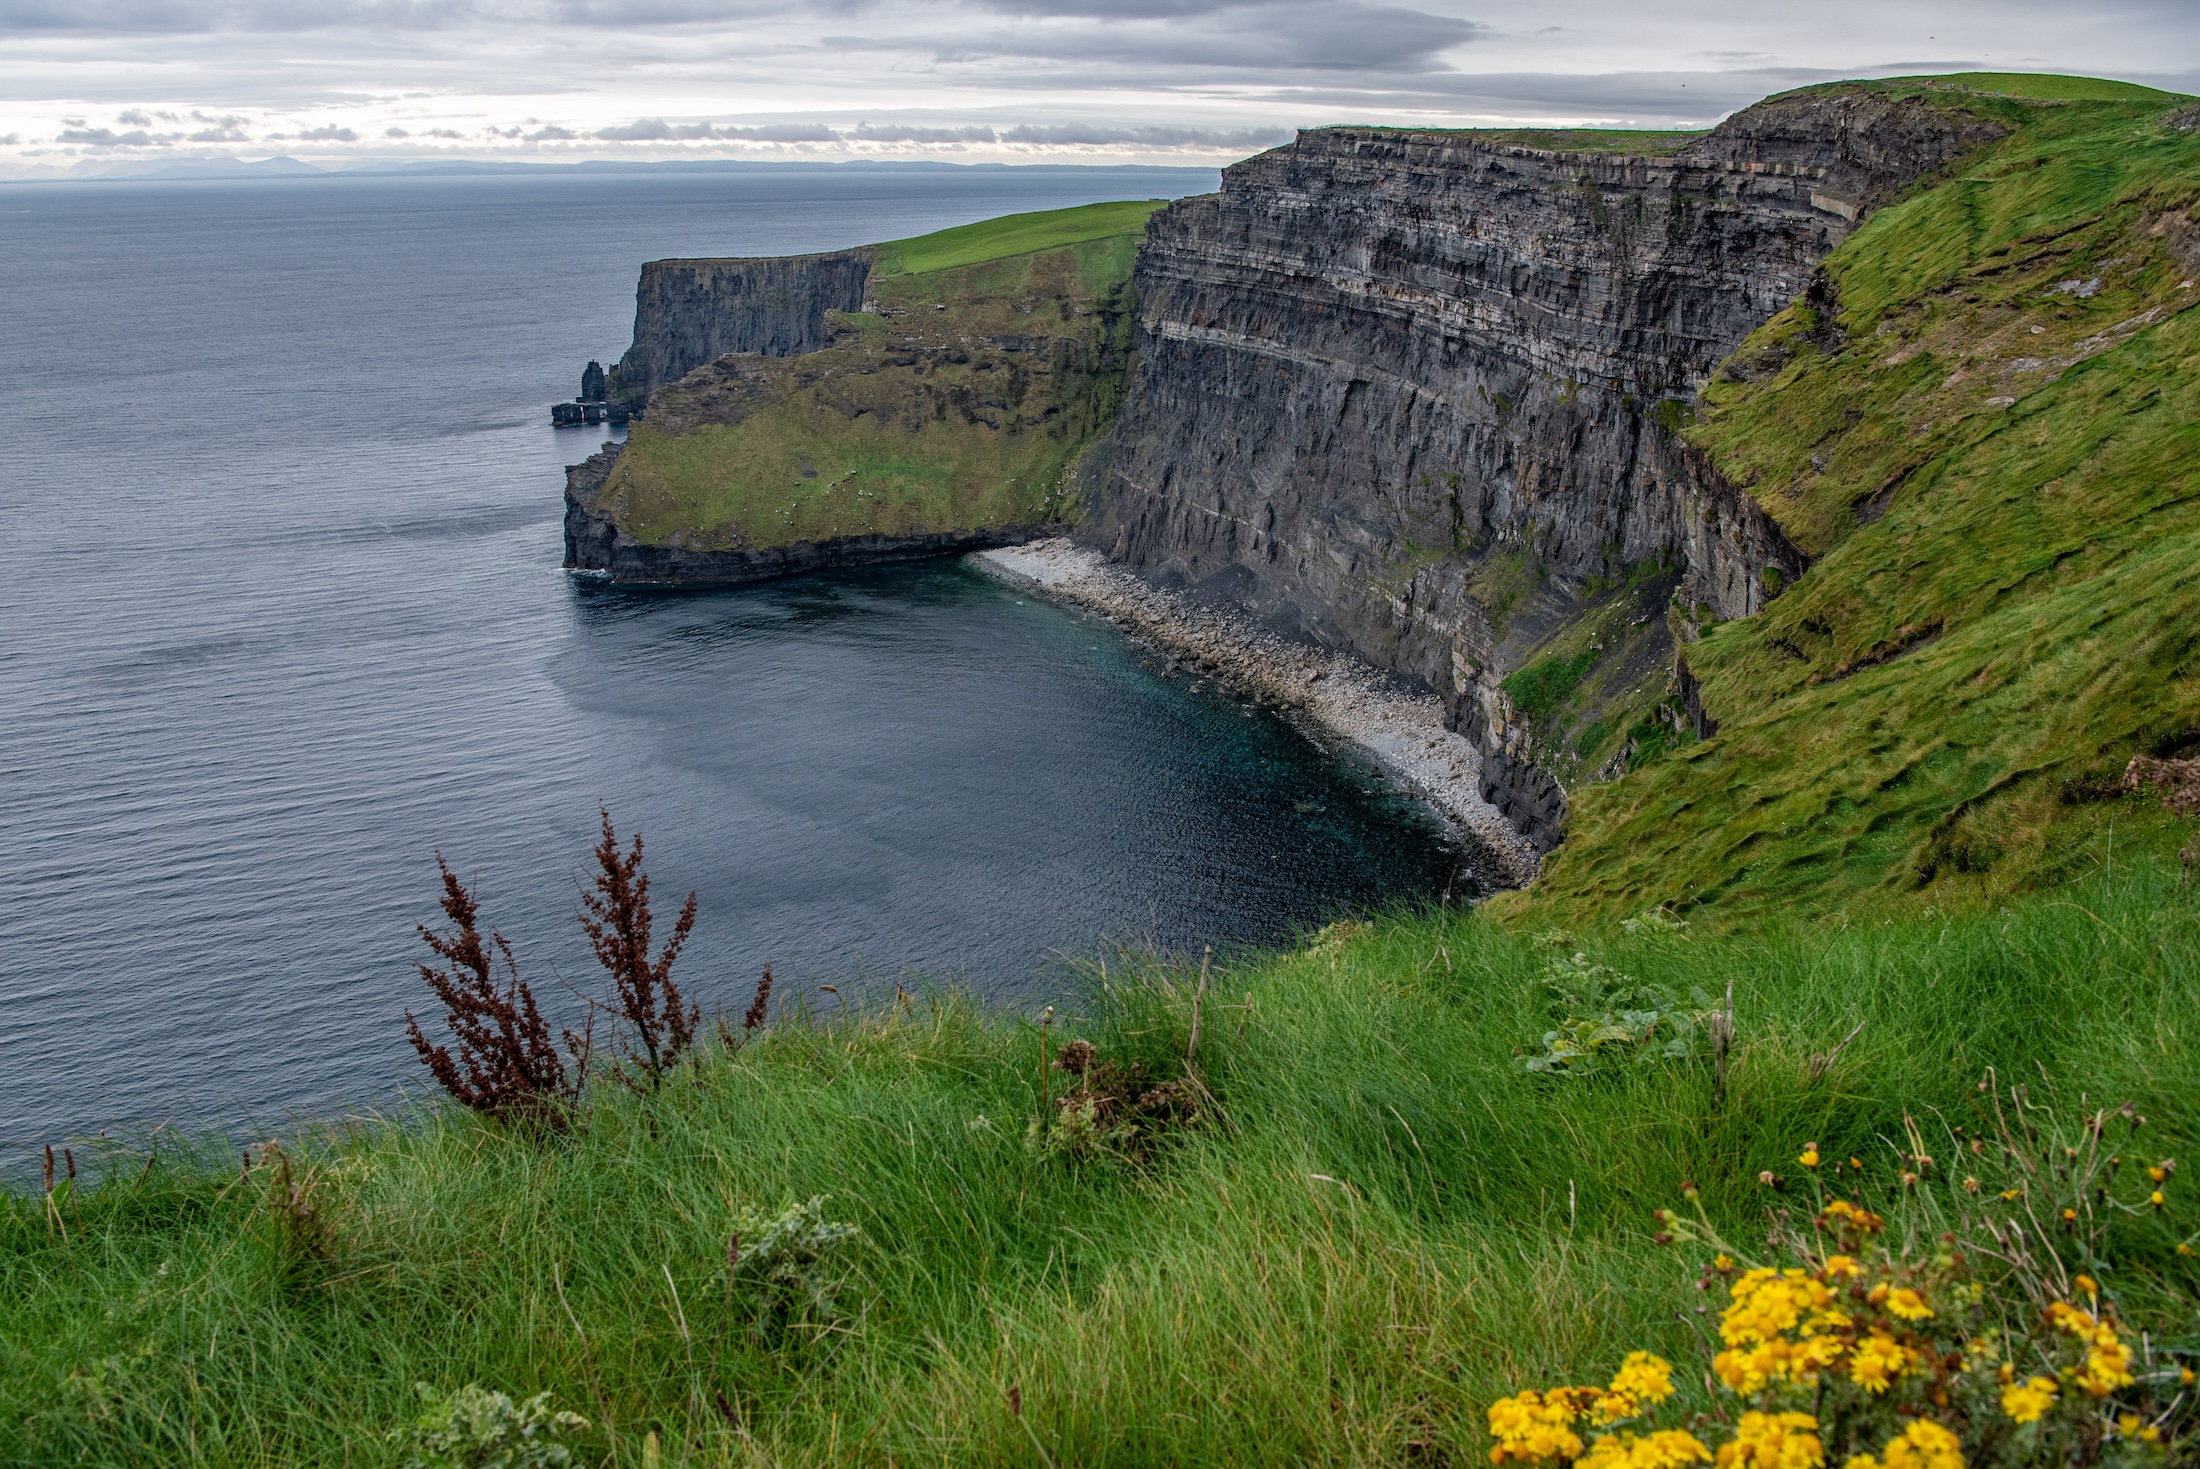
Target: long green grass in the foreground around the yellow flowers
{"x": 1391, "y": 1226}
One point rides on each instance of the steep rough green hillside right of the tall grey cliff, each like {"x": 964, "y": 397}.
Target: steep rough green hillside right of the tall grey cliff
{"x": 2001, "y": 481}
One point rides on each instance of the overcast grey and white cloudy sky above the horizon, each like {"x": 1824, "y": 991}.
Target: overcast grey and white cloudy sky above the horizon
{"x": 100, "y": 85}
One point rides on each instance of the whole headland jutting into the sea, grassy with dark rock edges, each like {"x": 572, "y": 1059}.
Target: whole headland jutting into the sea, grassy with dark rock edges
{"x": 947, "y": 410}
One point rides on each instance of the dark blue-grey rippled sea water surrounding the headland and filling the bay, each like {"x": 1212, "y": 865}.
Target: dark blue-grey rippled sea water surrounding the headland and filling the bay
{"x": 280, "y": 617}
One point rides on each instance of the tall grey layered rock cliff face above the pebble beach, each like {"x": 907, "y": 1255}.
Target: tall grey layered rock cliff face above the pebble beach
{"x": 1413, "y": 393}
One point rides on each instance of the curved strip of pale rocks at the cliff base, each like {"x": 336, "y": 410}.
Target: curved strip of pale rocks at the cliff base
{"x": 1336, "y": 694}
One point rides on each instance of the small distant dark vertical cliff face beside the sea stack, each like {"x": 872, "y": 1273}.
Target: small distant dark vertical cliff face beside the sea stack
{"x": 694, "y": 311}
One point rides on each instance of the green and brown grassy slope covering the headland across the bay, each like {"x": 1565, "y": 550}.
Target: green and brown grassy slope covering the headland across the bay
{"x": 962, "y": 404}
